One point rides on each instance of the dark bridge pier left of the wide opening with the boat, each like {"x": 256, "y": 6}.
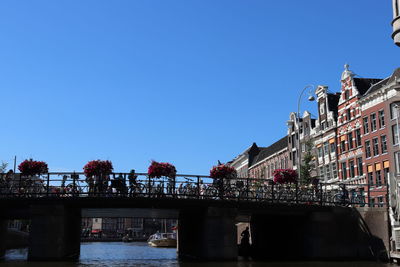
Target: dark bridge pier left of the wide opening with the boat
{"x": 55, "y": 233}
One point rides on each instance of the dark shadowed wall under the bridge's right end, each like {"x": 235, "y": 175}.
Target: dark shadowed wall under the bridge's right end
{"x": 335, "y": 233}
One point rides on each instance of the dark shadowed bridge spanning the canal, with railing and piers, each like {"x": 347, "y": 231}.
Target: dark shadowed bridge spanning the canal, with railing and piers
{"x": 287, "y": 222}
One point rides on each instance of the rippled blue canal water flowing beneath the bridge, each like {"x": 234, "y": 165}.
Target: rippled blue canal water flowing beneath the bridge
{"x": 140, "y": 254}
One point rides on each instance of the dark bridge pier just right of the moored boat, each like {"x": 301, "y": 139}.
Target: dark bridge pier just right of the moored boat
{"x": 207, "y": 234}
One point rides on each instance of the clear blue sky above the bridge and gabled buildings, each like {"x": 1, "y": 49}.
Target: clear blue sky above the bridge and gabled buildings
{"x": 188, "y": 82}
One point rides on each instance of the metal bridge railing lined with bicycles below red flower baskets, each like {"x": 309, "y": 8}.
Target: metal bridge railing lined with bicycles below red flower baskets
{"x": 139, "y": 185}
